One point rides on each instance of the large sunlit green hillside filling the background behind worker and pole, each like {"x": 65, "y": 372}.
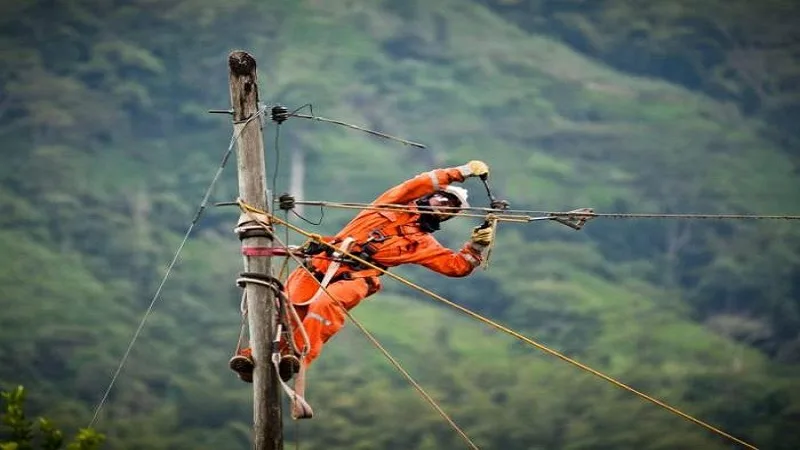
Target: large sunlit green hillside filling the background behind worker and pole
{"x": 108, "y": 149}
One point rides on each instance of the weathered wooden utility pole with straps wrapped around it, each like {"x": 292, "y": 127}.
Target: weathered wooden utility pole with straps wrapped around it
{"x": 267, "y": 425}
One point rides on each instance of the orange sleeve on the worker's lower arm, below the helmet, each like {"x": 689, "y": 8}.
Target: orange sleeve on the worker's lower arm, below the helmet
{"x": 434, "y": 256}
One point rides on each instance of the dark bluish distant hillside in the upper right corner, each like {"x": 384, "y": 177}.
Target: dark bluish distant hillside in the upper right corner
{"x": 736, "y": 51}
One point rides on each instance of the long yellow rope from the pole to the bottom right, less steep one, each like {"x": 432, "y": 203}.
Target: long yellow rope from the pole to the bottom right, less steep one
{"x": 252, "y": 211}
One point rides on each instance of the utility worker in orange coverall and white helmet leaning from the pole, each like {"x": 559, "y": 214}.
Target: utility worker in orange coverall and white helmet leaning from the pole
{"x": 386, "y": 238}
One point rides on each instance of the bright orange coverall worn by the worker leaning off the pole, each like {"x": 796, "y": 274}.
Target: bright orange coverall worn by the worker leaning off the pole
{"x": 405, "y": 243}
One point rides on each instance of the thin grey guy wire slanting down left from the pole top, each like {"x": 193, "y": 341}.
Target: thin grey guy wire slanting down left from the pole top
{"x": 198, "y": 214}
